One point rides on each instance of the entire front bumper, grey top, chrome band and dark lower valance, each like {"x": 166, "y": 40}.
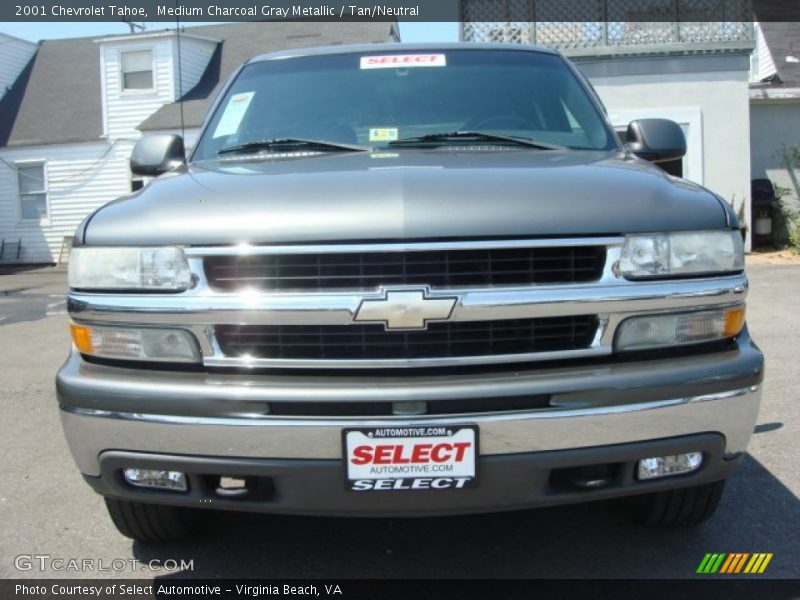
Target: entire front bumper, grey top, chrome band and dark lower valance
{"x": 618, "y": 412}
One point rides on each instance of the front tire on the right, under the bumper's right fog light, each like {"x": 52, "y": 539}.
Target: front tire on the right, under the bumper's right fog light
{"x": 684, "y": 507}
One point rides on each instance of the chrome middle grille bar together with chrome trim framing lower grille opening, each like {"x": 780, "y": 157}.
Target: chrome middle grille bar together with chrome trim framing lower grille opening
{"x": 612, "y": 303}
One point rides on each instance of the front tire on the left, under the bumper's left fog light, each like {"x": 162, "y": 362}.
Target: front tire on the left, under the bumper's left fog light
{"x": 151, "y": 523}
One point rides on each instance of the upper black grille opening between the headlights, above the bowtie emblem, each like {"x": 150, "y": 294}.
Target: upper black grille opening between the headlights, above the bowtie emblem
{"x": 438, "y": 269}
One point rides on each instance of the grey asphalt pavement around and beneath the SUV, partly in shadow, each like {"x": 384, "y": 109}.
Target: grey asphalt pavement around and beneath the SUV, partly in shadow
{"x": 47, "y": 509}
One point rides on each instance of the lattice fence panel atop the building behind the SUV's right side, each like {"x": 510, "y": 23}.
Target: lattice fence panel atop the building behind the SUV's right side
{"x": 606, "y": 23}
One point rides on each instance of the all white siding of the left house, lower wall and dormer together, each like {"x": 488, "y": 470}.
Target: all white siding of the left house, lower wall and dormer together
{"x": 83, "y": 177}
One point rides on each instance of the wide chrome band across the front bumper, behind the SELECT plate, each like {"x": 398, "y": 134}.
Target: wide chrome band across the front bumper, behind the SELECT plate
{"x": 90, "y": 432}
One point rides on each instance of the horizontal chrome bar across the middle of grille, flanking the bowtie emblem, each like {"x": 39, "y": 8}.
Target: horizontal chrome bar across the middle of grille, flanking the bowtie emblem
{"x": 340, "y": 308}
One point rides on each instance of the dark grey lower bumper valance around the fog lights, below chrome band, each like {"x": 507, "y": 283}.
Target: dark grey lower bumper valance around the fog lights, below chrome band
{"x": 506, "y": 482}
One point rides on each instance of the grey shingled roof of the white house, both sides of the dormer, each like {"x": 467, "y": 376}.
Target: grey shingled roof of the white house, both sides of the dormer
{"x": 57, "y": 99}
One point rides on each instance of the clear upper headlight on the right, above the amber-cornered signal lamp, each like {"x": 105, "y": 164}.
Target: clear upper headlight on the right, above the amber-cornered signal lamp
{"x": 681, "y": 253}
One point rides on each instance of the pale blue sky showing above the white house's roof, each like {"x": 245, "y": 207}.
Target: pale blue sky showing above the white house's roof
{"x": 409, "y": 32}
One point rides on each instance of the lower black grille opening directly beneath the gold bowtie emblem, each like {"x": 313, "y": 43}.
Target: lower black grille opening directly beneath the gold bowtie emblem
{"x": 439, "y": 340}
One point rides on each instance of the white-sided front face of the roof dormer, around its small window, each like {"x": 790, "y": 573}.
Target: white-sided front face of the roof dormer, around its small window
{"x": 124, "y": 110}
